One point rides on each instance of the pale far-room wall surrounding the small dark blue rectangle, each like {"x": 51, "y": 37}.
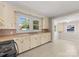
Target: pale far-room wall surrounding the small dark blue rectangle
{"x": 70, "y": 35}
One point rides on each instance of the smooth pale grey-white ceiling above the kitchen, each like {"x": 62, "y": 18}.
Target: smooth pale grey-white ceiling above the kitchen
{"x": 49, "y": 8}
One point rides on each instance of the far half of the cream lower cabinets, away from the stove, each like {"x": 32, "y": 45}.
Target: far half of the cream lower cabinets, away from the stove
{"x": 39, "y": 39}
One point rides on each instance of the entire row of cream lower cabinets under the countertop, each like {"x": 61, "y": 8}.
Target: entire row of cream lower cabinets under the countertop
{"x": 27, "y": 42}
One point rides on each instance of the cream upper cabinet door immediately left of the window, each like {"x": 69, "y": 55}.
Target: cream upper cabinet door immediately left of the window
{"x": 9, "y": 17}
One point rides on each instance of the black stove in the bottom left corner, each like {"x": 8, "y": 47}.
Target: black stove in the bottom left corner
{"x": 8, "y": 49}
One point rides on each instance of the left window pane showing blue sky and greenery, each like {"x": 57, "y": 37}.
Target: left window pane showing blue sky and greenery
{"x": 22, "y": 24}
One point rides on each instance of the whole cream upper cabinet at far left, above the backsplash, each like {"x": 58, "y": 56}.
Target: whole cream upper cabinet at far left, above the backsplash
{"x": 7, "y": 17}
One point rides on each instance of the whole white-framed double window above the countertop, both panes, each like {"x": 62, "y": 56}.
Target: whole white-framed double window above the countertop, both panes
{"x": 26, "y": 24}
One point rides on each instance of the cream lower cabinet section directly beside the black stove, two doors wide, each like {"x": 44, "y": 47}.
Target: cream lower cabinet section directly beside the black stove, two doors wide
{"x": 23, "y": 44}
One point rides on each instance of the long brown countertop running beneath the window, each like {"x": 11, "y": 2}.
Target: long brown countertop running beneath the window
{"x": 10, "y": 37}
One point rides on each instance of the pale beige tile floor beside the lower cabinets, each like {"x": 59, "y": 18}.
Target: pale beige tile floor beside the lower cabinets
{"x": 60, "y": 48}
